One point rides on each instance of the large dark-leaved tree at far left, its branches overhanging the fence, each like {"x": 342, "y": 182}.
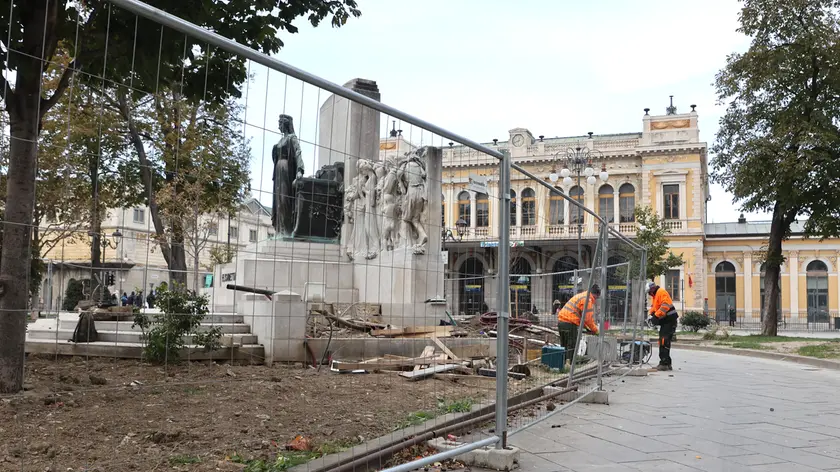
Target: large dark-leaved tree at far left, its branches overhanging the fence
{"x": 126, "y": 49}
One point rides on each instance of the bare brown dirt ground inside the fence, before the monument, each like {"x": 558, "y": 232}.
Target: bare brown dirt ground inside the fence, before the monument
{"x": 107, "y": 415}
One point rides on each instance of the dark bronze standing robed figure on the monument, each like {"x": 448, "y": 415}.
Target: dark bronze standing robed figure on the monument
{"x": 288, "y": 167}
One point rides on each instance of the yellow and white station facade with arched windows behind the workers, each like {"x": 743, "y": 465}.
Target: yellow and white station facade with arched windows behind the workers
{"x": 665, "y": 167}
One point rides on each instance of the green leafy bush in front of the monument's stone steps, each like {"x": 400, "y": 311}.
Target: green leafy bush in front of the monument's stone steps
{"x": 182, "y": 313}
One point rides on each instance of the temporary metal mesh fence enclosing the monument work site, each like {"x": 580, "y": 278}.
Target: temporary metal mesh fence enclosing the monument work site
{"x": 238, "y": 262}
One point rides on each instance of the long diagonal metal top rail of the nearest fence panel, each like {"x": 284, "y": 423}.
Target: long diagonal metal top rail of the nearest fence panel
{"x": 203, "y": 34}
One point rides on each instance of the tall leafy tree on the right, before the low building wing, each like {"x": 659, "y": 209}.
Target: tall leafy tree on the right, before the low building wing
{"x": 778, "y": 145}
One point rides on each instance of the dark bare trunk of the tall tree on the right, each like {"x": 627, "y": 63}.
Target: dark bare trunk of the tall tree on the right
{"x": 772, "y": 268}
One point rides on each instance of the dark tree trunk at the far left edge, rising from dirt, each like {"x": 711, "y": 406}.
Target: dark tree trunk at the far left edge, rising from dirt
{"x": 16, "y": 252}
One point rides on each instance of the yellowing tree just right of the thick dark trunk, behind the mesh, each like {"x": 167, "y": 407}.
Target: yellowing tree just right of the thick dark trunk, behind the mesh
{"x": 83, "y": 170}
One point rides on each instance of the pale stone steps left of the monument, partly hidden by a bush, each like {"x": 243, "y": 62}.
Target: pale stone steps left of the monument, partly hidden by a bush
{"x": 120, "y": 339}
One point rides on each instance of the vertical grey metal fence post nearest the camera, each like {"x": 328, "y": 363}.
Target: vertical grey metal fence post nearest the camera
{"x": 504, "y": 301}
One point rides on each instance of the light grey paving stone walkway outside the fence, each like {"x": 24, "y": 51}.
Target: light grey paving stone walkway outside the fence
{"x": 713, "y": 413}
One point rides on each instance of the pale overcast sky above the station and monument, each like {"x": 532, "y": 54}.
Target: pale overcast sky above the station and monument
{"x": 482, "y": 67}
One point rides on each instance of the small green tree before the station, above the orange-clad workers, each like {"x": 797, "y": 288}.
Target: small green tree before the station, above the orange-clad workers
{"x": 651, "y": 235}
